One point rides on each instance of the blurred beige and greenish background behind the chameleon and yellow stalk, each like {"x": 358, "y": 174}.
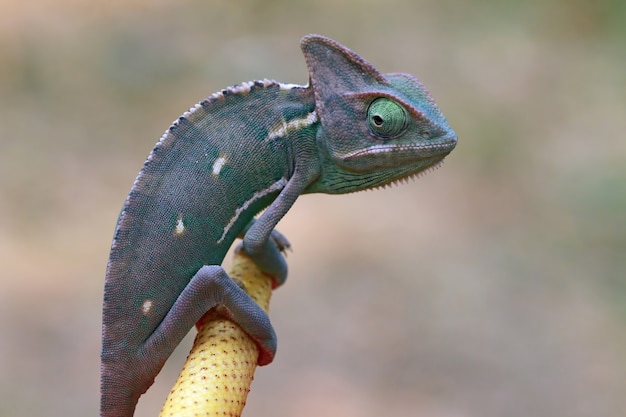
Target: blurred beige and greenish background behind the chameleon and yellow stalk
{"x": 495, "y": 286}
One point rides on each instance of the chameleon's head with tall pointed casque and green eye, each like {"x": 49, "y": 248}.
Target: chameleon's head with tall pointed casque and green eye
{"x": 375, "y": 128}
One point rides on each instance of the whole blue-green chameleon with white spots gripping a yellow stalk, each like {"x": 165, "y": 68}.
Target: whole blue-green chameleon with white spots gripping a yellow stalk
{"x": 253, "y": 146}
